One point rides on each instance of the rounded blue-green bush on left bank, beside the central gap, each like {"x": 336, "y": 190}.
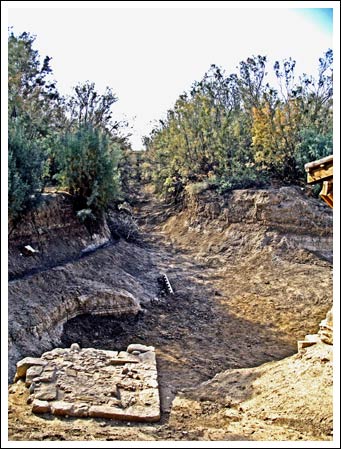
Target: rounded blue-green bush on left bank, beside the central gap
{"x": 91, "y": 152}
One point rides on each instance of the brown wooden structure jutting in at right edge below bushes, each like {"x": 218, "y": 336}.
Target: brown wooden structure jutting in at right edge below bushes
{"x": 321, "y": 171}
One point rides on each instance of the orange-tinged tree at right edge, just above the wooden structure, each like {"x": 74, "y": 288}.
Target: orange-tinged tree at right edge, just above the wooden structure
{"x": 294, "y": 124}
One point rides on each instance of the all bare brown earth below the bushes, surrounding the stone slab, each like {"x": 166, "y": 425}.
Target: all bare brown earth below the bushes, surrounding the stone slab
{"x": 251, "y": 273}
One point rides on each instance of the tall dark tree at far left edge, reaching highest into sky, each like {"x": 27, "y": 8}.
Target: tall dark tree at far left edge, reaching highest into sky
{"x": 32, "y": 108}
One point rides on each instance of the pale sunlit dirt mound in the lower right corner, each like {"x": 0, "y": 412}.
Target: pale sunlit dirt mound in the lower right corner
{"x": 275, "y": 401}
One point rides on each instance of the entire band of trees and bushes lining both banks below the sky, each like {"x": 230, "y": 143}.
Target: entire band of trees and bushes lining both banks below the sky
{"x": 228, "y": 131}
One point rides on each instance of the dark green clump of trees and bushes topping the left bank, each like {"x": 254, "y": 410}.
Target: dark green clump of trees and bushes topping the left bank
{"x": 69, "y": 142}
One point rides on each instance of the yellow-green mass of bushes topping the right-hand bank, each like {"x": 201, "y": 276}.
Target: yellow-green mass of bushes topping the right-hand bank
{"x": 232, "y": 131}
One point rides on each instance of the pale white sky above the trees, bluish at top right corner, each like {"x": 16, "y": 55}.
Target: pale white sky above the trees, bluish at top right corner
{"x": 149, "y": 55}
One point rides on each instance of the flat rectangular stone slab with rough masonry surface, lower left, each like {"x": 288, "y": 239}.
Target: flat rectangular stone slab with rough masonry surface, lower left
{"x": 93, "y": 382}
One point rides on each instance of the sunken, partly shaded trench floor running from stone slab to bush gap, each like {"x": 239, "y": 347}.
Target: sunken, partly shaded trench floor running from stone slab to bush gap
{"x": 224, "y": 314}
